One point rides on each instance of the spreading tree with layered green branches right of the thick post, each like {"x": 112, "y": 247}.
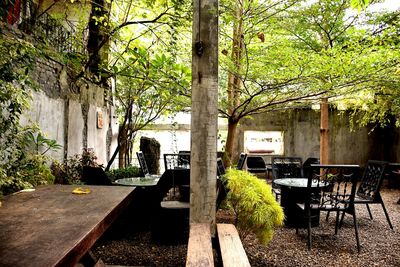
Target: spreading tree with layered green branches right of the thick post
{"x": 295, "y": 51}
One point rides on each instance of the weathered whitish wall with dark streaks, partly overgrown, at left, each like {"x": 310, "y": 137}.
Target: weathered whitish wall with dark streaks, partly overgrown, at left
{"x": 68, "y": 111}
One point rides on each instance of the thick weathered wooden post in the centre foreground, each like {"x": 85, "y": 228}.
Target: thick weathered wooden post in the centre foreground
{"x": 204, "y": 113}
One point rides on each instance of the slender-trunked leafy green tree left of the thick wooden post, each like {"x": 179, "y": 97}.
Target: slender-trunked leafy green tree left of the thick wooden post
{"x": 148, "y": 61}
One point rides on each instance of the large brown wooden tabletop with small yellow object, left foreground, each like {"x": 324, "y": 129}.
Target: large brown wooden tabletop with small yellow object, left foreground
{"x": 53, "y": 227}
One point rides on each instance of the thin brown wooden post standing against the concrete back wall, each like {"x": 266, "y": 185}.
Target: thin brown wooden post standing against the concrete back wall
{"x": 324, "y": 132}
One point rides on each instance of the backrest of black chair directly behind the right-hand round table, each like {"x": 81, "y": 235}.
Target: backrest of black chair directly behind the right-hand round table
{"x": 286, "y": 167}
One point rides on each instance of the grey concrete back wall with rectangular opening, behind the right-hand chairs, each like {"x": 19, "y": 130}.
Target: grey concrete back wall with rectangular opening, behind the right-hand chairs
{"x": 301, "y": 137}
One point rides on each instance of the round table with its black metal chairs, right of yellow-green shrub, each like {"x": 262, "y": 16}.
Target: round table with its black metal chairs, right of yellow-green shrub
{"x": 325, "y": 187}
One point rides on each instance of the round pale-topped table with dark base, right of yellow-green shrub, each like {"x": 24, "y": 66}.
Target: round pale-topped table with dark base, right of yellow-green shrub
{"x": 293, "y": 190}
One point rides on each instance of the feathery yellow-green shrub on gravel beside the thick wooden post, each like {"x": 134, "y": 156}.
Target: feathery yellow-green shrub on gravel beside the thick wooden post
{"x": 254, "y": 205}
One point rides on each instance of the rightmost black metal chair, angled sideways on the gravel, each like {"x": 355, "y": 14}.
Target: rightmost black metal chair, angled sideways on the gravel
{"x": 369, "y": 190}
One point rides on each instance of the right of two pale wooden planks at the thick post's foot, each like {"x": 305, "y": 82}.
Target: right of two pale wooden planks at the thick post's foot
{"x": 231, "y": 248}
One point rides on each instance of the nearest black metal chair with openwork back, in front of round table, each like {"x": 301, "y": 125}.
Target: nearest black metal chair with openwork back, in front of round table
{"x": 331, "y": 188}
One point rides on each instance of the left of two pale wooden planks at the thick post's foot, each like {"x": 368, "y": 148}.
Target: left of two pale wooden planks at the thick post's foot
{"x": 199, "y": 252}
